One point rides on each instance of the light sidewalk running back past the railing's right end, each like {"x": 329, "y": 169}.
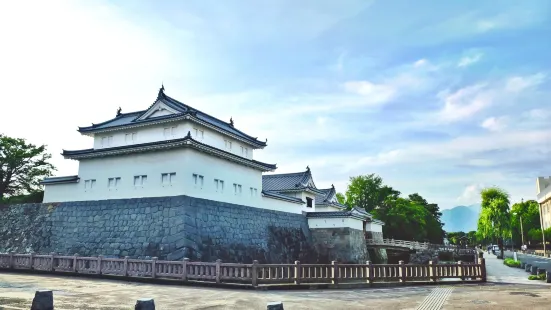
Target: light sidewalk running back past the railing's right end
{"x": 499, "y": 273}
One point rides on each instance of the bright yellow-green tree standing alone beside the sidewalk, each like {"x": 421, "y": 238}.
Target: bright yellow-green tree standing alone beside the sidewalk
{"x": 495, "y": 220}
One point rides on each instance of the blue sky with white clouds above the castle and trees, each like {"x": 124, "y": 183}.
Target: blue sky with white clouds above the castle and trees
{"x": 440, "y": 98}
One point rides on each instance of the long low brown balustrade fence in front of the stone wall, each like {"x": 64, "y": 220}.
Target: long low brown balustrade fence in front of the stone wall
{"x": 254, "y": 274}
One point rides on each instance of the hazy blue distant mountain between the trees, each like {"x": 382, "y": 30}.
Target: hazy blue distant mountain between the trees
{"x": 460, "y": 218}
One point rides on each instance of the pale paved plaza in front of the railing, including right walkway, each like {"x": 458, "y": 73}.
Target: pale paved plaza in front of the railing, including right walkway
{"x": 506, "y": 289}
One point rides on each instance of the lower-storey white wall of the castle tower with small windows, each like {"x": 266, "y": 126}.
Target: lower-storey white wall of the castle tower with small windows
{"x": 184, "y": 162}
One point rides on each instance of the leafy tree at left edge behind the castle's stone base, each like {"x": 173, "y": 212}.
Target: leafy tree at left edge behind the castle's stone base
{"x": 22, "y": 166}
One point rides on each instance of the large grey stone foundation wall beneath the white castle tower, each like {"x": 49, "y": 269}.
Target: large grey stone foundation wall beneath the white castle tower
{"x": 165, "y": 227}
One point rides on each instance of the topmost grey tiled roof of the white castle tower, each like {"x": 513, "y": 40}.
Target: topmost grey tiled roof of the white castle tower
{"x": 125, "y": 120}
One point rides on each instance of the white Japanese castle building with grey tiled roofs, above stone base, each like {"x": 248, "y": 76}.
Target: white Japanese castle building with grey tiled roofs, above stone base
{"x": 172, "y": 149}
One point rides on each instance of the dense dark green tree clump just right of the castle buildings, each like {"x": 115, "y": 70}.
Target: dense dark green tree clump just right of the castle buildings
{"x": 411, "y": 218}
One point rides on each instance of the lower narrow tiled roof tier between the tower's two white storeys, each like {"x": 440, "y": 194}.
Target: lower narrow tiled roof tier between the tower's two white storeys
{"x": 187, "y": 141}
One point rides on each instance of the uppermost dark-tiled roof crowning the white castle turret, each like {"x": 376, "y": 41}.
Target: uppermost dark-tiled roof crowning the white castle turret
{"x": 127, "y": 119}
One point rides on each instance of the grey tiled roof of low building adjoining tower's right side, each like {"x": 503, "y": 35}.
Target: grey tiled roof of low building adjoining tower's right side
{"x": 289, "y": 181}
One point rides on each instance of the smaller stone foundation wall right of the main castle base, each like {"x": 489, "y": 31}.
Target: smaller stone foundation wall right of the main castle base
{"x": 345, "y": 245}
